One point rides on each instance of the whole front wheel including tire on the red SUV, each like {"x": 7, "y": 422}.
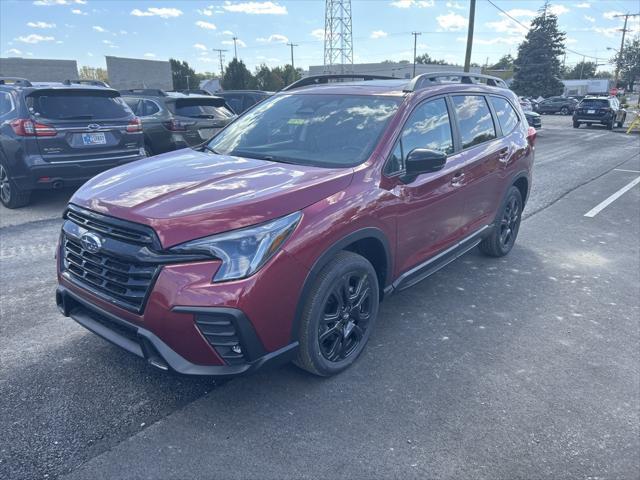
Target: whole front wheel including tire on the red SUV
{"x": 339, "y": 315}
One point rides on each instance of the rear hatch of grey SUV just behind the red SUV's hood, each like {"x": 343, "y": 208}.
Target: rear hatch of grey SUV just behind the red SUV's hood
{"x": 202, "y": 117}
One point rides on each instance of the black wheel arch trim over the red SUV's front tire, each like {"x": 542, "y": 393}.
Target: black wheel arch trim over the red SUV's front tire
{"x": 369, "y": 242}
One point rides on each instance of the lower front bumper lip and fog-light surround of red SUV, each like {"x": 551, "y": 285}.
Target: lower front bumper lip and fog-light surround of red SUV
{"x": 145, "y": 344}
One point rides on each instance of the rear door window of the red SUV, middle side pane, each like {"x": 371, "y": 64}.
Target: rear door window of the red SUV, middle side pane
{"x": 474, "y": 120}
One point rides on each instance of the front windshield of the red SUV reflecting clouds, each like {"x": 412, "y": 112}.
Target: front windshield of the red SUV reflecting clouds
{"x": 320, "y": 130}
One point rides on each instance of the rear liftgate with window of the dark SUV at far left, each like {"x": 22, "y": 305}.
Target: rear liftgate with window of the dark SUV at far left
{"x": 83, "y": 125}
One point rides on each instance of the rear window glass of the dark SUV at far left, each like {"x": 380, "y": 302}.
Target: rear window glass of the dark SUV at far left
{"x": 64, "y": 105}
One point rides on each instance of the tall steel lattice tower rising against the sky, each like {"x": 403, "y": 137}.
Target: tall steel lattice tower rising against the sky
{"x": 338, "y": 39}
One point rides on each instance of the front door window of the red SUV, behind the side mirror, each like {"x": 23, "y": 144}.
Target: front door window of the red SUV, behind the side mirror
{"x": 428, "y": 127}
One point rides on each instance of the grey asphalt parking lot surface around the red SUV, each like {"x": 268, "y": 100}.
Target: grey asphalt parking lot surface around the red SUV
{"x": 525, "y": 367}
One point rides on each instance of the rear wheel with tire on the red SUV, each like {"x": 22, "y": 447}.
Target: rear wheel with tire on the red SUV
{"x": 506, "y": 227}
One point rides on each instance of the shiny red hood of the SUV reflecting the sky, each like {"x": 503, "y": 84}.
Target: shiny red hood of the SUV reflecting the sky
{"x": 186, "y": 194}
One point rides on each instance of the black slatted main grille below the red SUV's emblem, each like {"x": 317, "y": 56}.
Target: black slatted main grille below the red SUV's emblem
{"x": 121, "y": 282}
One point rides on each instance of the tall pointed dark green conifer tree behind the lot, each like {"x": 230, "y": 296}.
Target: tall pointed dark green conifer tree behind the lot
{"x": 537, "y": 66}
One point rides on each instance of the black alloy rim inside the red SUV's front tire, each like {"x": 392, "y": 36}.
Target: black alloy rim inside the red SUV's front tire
{"x": 346, "y": 316}
